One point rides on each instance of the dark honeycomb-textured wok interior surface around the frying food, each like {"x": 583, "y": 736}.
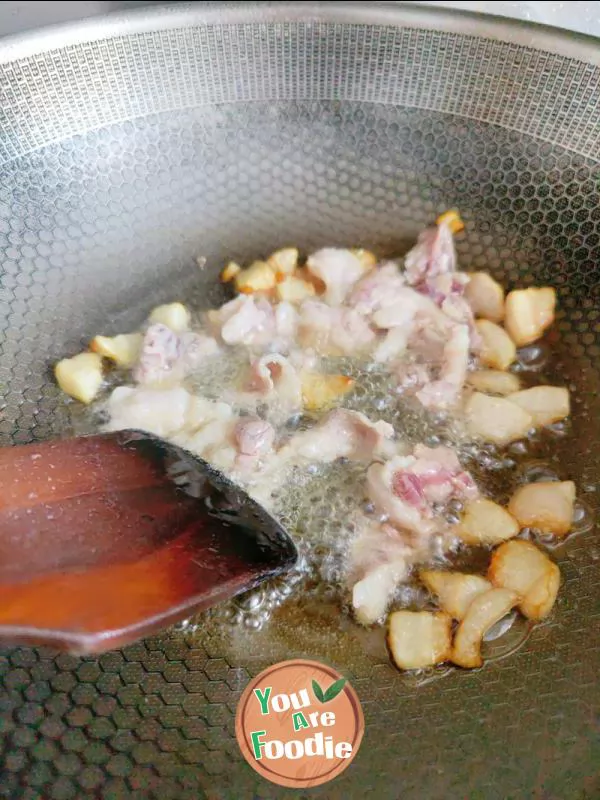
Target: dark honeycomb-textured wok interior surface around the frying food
{"x": 226, "y": 142}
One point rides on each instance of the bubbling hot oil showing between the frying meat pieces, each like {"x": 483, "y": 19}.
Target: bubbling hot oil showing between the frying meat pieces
{"x": 321, "y": 504}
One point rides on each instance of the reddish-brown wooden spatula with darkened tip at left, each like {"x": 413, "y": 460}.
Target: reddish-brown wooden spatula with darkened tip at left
{"x": 104, "y": 539}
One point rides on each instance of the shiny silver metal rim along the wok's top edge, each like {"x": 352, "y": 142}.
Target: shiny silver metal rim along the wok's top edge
{"x": 577, "y": 46}
